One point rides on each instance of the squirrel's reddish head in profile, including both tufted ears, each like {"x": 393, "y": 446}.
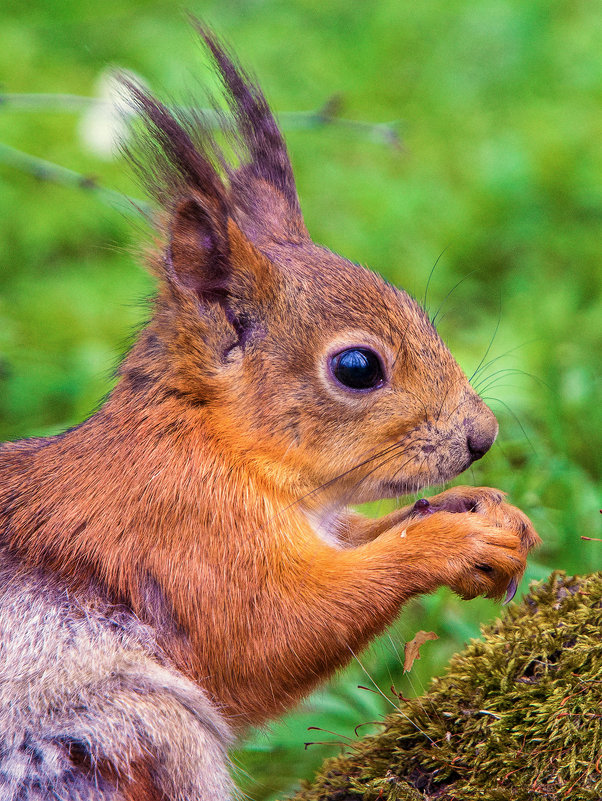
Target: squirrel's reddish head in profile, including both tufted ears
{"x": 310, "y": 369}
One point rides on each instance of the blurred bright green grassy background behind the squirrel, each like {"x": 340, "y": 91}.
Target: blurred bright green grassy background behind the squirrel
{"x": 499, "y": 109}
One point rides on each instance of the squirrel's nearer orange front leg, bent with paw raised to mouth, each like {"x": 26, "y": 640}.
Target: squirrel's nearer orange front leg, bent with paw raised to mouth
{"x": 336, "y": 600}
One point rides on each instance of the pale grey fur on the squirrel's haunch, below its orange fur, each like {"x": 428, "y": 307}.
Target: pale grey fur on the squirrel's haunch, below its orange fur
{"x": 79, "y": 678}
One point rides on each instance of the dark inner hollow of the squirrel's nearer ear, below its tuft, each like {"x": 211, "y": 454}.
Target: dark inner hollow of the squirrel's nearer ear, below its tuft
{"x": 199, "y": 252}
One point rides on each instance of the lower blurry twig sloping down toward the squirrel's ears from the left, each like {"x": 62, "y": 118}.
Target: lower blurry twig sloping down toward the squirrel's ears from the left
{"x": 48, "y": 171}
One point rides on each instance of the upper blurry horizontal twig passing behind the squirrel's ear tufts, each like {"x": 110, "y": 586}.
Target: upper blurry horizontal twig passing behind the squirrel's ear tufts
{"x": 328, "y": 114}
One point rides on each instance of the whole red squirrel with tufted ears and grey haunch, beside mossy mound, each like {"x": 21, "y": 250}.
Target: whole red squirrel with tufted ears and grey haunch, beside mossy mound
{"x": 184, "y": 563}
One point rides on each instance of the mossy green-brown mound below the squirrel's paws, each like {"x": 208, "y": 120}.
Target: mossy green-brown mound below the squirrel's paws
{"x": 518, "y": 715}
